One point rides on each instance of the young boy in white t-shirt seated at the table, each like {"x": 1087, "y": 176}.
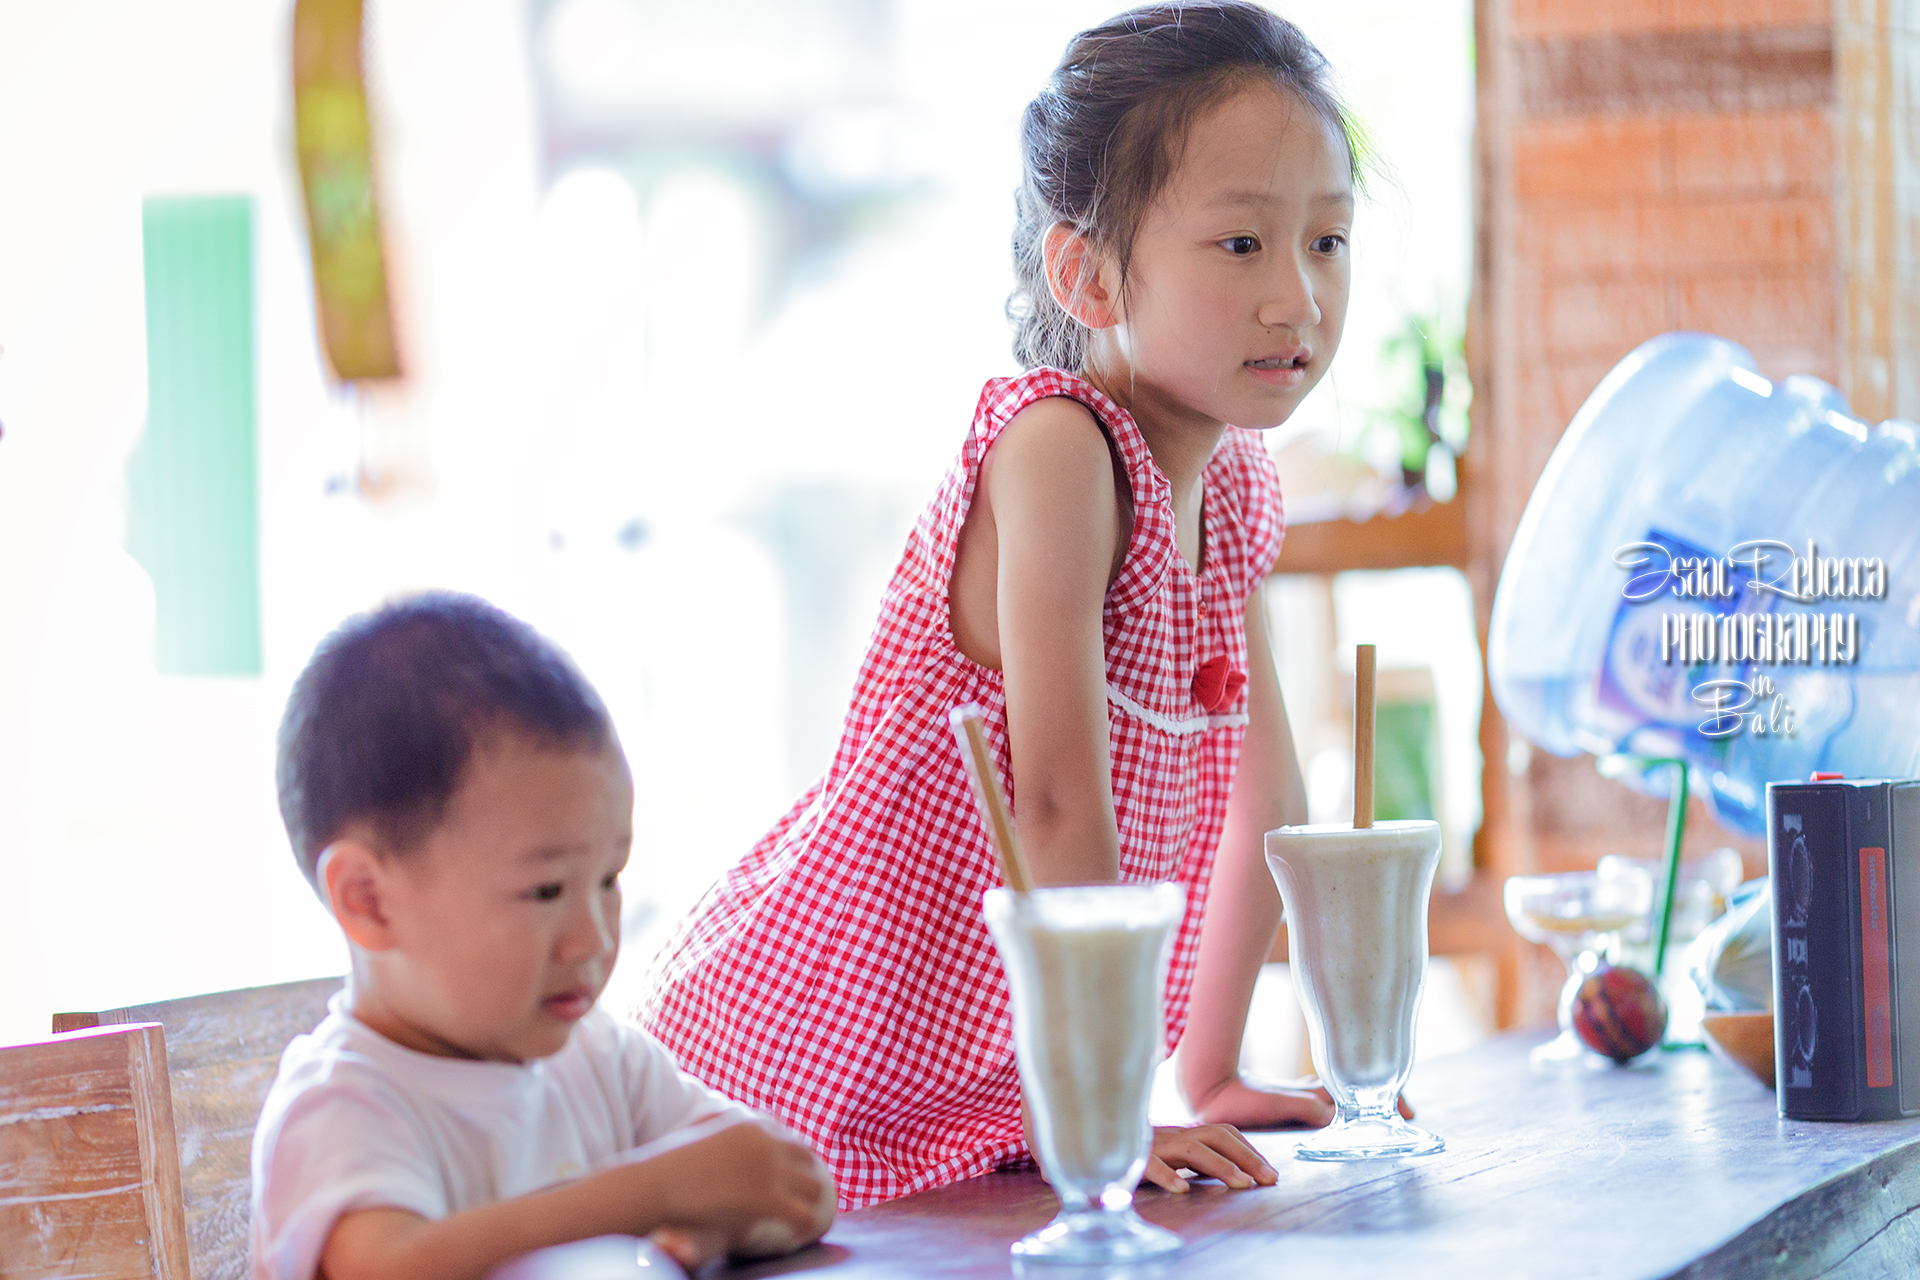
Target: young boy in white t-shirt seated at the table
{"x": 456, "y": 795}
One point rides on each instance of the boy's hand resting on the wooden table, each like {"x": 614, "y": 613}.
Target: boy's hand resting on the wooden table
{"x": 750, "y": 1183}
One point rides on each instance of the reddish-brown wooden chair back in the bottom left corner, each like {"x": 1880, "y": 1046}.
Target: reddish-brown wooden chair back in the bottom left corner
{"x": 89, "y": 1170}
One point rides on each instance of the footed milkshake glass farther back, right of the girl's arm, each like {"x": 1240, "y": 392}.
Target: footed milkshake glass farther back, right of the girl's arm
{"x": 1356, "y": 936}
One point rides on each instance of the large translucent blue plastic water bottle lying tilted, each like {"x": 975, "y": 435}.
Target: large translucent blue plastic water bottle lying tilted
{"x": 1721, "y": 569}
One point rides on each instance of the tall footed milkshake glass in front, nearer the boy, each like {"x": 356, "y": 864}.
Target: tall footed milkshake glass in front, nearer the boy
{"x": 1088, "y": 968}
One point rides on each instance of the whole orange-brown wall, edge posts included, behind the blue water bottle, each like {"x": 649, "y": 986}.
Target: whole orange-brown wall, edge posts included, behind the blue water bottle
{"x": 1748, "y": 168}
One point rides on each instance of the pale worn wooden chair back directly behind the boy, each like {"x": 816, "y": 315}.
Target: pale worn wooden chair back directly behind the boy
{"x": 224, "y": 1053}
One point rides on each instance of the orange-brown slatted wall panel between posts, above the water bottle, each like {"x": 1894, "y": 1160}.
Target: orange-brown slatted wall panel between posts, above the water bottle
{"x": 1668, "y": 164}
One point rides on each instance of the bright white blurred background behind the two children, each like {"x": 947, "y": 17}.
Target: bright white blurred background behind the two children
{"x": 696, "y": 306}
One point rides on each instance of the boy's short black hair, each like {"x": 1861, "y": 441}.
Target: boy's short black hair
{"x": 381, "y": 726}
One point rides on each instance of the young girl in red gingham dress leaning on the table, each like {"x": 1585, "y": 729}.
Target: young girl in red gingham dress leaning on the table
{"x": 1092, "y": 575}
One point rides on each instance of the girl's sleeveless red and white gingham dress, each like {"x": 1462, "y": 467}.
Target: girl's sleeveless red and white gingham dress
{"x": 842, "y": 976}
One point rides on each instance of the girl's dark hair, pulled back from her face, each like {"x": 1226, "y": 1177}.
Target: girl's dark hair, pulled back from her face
{"x": 1105, "y": 133}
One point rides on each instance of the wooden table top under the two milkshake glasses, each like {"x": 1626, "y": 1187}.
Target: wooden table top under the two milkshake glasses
{"x": 1677, "y": 1168}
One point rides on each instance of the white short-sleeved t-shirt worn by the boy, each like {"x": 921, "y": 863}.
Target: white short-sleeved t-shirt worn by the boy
{"x": 356, "y": 1122}
